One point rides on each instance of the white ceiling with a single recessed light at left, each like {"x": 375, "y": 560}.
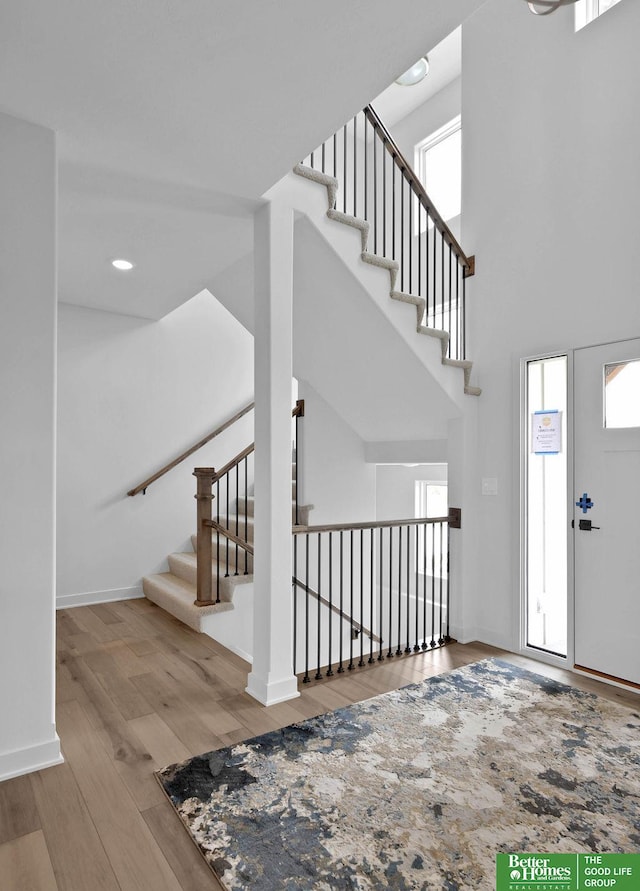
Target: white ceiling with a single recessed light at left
{"x": 174, "y": 116}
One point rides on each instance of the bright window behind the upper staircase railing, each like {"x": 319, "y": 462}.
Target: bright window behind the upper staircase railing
{"x": 439, "y": 166}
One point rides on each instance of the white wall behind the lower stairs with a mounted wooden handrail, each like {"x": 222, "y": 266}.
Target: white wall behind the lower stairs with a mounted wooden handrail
{"x": 134, "y": 394}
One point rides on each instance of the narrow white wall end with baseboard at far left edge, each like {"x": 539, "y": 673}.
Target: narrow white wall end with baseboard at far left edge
{"x": 27, "y": 446}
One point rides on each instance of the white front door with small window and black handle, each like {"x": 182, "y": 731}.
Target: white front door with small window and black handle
{"x": 607, "y": 505}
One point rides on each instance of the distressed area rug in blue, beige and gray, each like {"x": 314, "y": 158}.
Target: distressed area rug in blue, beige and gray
{"x": 418, "y": 788}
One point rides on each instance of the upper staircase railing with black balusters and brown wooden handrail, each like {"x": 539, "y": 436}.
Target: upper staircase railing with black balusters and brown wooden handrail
{"x": 377, "y": 183}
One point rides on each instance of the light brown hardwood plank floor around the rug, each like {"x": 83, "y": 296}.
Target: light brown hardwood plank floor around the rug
{"x": 138, "y": 690}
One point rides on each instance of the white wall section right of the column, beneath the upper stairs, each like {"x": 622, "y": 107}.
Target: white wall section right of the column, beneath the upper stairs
{"x": 333, "y": 475}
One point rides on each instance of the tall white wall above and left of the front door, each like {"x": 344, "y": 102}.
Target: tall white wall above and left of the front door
{"x": 551, "y": 190}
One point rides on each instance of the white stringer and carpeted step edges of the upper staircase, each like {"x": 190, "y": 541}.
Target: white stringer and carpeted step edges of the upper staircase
{"x": 347, "y": 236}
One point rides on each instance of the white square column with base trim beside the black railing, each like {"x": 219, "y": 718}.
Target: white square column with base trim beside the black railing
{"x": 272, "y": 679}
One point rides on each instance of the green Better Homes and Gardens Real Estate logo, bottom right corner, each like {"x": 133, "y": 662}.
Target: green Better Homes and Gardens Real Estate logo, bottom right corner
{"x": 567, "y": 872}
